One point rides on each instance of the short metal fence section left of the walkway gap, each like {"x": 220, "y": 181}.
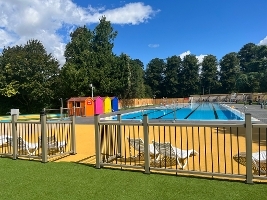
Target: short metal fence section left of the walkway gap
{"x": 40, "y": 140}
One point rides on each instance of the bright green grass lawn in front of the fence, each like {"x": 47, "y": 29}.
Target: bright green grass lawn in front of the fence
{"x": 23, "y": 179}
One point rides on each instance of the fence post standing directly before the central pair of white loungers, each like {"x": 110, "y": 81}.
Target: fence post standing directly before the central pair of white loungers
{"x": 146, "y": 144}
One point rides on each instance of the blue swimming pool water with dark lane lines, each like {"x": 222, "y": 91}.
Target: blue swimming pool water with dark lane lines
{"x": 195, "y": 111}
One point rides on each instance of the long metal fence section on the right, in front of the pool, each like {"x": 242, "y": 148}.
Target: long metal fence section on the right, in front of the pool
{"x": 203, "y": 149}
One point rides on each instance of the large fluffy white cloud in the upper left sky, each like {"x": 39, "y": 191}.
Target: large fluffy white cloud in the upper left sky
{"x": 44, "y": 20}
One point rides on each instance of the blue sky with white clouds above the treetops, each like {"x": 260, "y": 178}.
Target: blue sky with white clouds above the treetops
{"x": 146, "y": 29}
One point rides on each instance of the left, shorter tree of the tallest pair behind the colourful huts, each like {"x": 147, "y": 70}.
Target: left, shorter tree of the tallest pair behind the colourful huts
{"x": 78, "y": 71}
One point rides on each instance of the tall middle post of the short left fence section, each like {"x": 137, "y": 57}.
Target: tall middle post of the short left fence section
{"x": 43, "y": 136}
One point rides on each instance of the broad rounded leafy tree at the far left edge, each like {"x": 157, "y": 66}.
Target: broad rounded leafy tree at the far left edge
{"x": 29, "y": 75}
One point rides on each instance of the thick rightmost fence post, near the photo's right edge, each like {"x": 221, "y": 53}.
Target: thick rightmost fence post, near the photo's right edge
{"x": 248, "y": 126}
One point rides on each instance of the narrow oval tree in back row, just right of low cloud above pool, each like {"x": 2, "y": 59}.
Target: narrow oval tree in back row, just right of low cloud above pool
{"x": 209, "y": 74}
